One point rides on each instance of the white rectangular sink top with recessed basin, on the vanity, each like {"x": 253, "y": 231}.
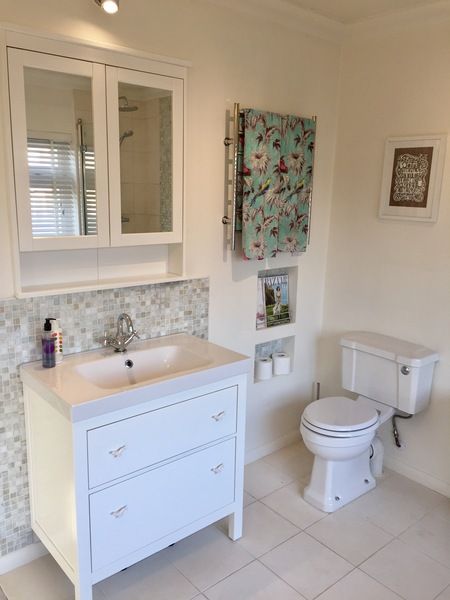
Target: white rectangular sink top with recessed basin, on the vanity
{"x": 91, "y": 383}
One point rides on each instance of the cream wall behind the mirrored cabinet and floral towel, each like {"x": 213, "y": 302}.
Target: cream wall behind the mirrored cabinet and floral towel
{"x": 236, "y": 57}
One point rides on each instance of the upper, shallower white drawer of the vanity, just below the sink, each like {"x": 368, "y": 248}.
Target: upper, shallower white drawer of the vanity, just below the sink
{"x": 126, "y": 446}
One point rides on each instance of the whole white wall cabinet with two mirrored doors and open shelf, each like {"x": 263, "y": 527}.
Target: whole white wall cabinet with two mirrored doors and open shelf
{"x": 96, "y": 163}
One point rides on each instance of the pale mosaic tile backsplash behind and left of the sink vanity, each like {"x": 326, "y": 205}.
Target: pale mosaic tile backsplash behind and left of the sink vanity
{"x": 156, "y": 310}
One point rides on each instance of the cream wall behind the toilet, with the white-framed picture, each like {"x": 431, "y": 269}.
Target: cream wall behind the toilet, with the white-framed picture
{"x": 387, "y": 276}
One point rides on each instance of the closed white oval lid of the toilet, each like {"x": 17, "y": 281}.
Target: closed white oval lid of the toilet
{"x": 338, "y": 413}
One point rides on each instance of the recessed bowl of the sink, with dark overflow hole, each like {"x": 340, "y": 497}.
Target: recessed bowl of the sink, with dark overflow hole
{"x": 112, "y": 372}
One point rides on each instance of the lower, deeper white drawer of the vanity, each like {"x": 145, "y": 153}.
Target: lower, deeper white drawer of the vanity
{"x": 132, "y": 514}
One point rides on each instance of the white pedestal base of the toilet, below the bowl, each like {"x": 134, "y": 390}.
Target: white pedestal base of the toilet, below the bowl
{"x": 334, "y": 484}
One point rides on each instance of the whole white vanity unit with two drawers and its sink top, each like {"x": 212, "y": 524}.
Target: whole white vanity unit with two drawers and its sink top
{"x": 117, "y": 474}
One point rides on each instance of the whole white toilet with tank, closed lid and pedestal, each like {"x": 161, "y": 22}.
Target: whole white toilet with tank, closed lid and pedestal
{"x": 389, "y": 375}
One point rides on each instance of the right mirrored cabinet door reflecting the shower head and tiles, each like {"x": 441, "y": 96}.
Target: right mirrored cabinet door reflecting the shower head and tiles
{"x": 145, "y": 126}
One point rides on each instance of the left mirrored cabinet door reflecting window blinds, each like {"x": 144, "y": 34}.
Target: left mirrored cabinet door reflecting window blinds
{"x": 59, "y": 147}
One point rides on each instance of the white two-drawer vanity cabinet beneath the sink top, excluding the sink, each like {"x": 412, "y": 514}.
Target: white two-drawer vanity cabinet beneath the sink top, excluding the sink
{"x": 110, "y": 490}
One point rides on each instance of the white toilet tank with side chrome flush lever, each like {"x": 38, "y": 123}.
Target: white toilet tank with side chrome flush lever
{"x": 387, "y": 369}
